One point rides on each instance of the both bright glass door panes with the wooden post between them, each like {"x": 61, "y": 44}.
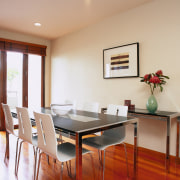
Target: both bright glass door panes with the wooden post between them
{"x": 23, "y": 80}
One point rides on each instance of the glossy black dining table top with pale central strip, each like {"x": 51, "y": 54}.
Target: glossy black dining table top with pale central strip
{"x": 84, "y": 122}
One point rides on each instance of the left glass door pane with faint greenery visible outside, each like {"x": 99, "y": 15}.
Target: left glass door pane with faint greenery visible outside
{"x": 14, "y": 79}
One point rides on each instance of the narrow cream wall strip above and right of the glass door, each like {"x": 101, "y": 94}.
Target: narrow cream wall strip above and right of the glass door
{"x": 33, "y": 39}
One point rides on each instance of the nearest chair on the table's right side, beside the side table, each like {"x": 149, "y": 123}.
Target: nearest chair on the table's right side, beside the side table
{"x": 110, "y": 137}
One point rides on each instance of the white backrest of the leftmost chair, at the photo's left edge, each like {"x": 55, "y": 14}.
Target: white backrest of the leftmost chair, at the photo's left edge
{"x": 8, "y": 118}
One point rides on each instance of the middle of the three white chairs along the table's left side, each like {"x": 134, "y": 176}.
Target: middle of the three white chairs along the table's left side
{"x": 25, "y": 133}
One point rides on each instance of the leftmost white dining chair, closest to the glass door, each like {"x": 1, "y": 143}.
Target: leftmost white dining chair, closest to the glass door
{"x": 10, "y": 129}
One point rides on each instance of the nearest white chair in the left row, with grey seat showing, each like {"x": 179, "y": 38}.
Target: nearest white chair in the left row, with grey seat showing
{"x": 47, "y": 142}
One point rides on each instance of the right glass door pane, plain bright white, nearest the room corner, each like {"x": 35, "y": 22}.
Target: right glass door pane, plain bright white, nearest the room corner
{"x": 34, "y": 81}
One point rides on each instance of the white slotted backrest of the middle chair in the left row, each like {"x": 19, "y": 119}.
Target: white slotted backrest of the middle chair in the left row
{"x": 25, "y": 127}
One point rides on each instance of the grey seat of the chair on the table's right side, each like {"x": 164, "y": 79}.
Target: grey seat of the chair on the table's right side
{"x": 101, "y": 142}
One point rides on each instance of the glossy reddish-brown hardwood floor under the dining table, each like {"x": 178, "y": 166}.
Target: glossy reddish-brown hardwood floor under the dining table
{"x": 151, "y": 165}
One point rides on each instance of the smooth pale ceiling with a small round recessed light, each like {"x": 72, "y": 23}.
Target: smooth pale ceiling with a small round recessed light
{"x": 58, "y": 17}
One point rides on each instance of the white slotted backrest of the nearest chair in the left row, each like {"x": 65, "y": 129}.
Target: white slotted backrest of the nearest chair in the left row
{"x": 46, "y": 134}
